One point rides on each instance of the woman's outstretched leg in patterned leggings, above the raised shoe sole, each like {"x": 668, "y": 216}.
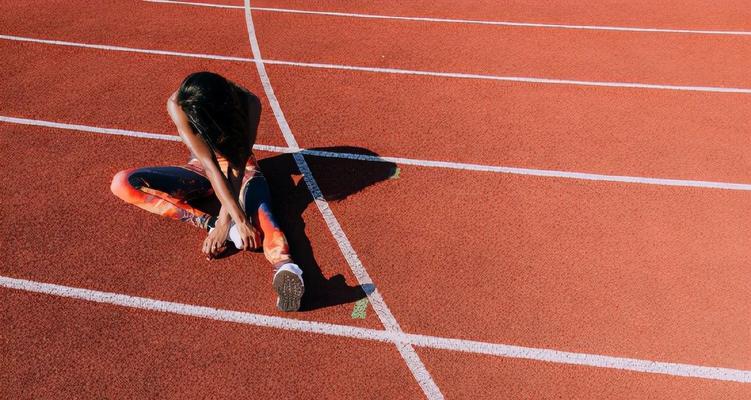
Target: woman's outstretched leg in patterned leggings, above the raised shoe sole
{"x": 255, "y": 199}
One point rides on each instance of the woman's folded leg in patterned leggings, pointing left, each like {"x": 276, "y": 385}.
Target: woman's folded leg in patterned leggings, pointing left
{"x": 164, "y": 191}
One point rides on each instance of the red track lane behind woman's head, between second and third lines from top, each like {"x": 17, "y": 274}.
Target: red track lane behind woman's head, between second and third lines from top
{"x": 680, "y": 135}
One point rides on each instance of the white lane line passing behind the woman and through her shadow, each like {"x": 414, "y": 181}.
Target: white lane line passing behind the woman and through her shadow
{"x": 410, "y": 161}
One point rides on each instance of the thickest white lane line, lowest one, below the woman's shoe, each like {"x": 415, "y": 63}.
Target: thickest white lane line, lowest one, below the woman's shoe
{"x": 397, "y": 338}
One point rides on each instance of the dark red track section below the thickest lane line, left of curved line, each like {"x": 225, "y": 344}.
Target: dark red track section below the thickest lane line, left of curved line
{"x": 62, "y": 348}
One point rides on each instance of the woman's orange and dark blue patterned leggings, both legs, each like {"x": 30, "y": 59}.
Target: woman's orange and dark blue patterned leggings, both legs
{"x": 167, "y": 191}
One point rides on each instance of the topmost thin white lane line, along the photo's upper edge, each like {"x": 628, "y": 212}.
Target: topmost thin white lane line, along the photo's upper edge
{"x": 467, "y": 21}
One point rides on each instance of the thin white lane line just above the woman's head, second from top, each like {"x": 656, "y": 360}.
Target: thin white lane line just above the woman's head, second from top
{"x": 397, "y": 71}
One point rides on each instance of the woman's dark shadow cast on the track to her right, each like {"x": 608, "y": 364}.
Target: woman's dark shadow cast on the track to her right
{"x": 337, "y": 178}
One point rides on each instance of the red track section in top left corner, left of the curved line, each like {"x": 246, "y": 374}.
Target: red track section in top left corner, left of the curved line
{"x": 129, "y": 23}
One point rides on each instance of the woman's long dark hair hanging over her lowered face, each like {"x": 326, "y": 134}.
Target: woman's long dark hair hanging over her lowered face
{"x": 218, "y": 112}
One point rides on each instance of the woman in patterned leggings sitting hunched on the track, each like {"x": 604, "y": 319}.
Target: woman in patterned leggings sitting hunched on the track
{"x": 217, "y": 119}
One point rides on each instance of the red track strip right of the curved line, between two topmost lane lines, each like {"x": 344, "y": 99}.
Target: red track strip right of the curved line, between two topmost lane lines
{"x": 494, "y": 50}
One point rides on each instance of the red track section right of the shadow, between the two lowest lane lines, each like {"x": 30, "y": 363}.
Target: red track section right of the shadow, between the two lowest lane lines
{"x": 626, "y": 270}
